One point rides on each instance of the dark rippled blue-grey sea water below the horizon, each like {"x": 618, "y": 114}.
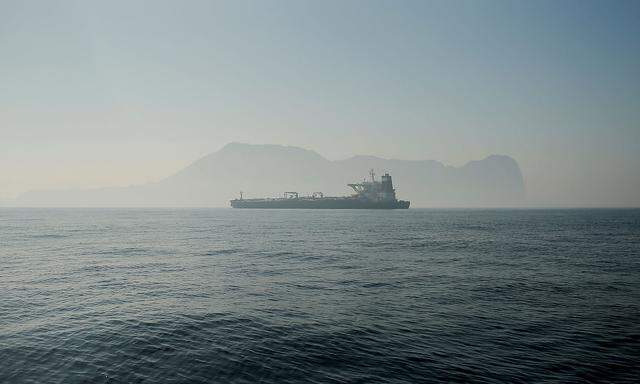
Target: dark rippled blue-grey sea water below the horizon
{"x": 271, "y": 296}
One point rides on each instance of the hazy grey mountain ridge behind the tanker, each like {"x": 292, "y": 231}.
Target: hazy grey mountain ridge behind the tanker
{"x": 269, "y": 170}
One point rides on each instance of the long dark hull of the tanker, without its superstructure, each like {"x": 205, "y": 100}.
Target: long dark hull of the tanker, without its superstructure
{"x": 318, "y": 204}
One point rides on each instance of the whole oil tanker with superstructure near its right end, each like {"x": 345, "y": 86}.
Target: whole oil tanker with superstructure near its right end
{"x": 371, "y": 194}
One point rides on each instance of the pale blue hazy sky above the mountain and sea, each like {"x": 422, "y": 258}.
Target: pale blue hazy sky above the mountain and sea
{"x": 120, "y": 92}
